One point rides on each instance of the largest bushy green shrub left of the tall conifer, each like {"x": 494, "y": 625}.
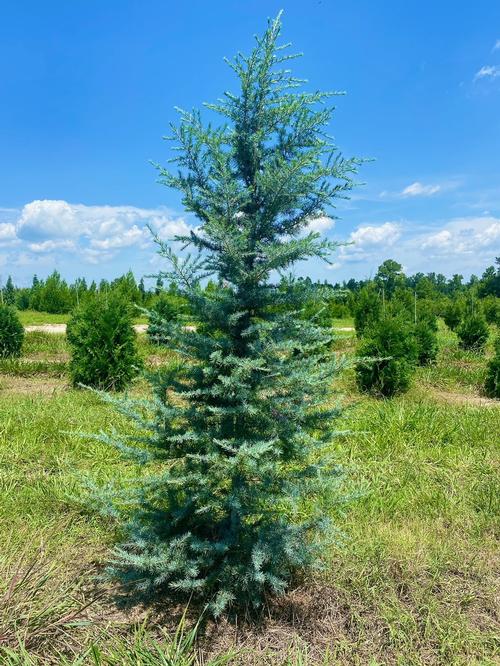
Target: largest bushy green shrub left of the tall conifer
{"x": 102, "y": 343}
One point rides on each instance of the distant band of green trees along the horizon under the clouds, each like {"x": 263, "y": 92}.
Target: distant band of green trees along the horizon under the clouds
{"x": 449, "y": 295}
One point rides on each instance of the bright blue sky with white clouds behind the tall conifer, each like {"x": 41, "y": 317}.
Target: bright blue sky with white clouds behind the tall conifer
{"x": 88, "y": 89}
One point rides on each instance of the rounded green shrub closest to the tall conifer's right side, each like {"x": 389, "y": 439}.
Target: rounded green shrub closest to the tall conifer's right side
{"x": 392, "y": 345}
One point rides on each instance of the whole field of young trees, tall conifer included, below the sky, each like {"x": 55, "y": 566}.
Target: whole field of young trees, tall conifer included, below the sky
{"x": 269, "y": 470}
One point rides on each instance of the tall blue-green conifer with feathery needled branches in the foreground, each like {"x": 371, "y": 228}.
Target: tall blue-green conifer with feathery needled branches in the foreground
{"x": 237, "y": 433}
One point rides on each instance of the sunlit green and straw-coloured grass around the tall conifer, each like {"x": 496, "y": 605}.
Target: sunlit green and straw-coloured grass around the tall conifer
{"x": 414, "y": 579}
